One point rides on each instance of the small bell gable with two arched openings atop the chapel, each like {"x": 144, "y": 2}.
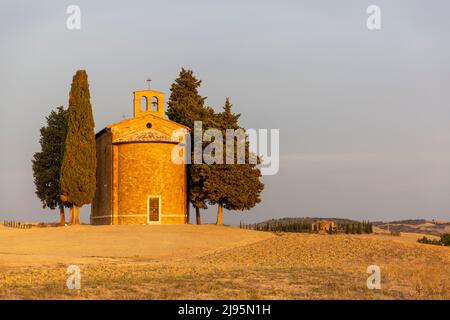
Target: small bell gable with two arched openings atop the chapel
{"x": 148, "y": 101}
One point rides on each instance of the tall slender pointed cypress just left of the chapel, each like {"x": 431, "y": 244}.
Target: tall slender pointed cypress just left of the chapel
{"x": 78, "y": 181}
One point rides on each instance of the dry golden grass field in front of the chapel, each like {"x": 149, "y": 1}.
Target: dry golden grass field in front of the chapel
{"x": 210, "y": 262}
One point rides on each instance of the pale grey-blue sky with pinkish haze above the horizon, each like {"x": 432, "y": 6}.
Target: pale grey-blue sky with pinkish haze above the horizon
{"x": 364, "y": 116}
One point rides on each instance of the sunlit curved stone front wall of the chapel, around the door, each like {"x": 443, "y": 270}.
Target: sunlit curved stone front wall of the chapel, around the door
{"x": 146, "y": 169}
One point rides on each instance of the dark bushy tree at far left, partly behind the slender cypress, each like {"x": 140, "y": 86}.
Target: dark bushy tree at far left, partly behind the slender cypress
{"x": 46, "y": 164}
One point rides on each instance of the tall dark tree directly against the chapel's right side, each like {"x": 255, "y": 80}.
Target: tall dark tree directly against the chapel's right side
{"x": 186, "y": 106}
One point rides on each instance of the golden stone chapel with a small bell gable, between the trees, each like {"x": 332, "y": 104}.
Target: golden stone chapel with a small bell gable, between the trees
{"x": 137, "y": 182}
